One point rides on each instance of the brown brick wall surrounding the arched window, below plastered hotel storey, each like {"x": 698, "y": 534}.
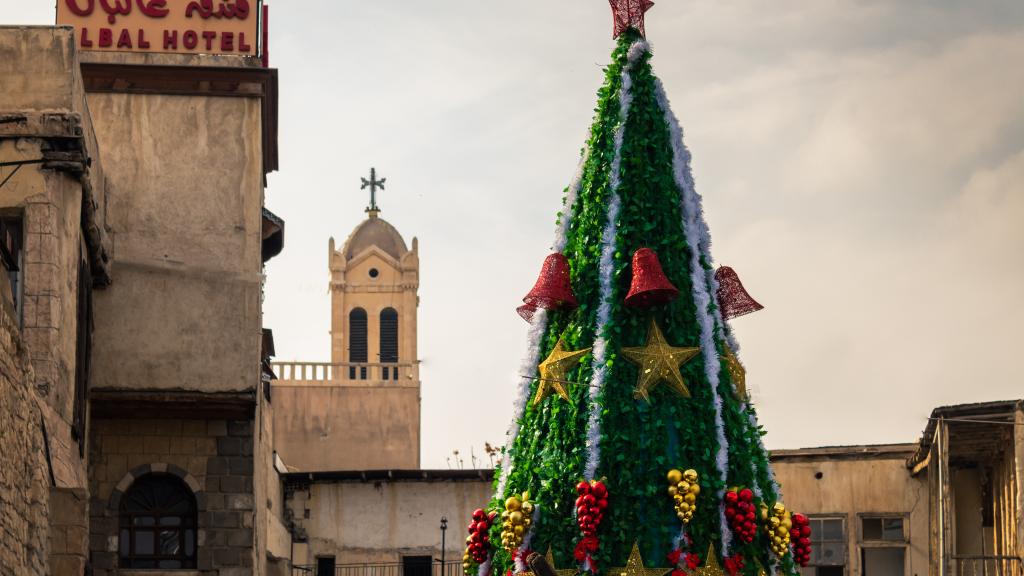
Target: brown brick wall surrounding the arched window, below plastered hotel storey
{"x": 216, "y": 460}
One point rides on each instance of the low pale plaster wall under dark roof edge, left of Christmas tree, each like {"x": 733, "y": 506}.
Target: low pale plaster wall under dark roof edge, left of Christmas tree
{"x": 381, "y": 522}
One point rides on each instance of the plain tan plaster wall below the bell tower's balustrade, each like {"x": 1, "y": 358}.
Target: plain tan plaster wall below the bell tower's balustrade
{"x": 339, "y": 428}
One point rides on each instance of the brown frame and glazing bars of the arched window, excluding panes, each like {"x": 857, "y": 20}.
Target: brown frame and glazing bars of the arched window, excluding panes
{"x": 132, "y": 559}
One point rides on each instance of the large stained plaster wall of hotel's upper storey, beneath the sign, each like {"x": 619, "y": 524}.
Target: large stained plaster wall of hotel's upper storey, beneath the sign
{"x": 185, "y": 196}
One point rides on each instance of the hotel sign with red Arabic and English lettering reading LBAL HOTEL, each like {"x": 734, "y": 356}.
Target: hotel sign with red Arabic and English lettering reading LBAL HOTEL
{"x": 191, "y": 27}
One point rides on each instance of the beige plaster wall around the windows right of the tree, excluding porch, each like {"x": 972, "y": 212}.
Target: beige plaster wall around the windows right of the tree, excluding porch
{"x": 850, "y": 487}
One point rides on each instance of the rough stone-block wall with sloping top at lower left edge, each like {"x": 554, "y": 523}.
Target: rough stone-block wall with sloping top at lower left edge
{"x": 24, "y": 477}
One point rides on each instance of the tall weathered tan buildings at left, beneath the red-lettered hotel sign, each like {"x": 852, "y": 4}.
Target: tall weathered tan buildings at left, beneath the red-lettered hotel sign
{"x": 135, "y": 237}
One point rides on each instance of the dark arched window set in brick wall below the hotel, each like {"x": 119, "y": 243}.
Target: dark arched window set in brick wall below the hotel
{"x": 158, "y": 524}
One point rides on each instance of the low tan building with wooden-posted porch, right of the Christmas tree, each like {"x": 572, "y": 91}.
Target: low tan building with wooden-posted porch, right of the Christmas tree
{"x": 952, "y": 504}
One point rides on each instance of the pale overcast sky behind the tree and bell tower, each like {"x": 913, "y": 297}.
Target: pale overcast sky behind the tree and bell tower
{"x": 862, "y": 163}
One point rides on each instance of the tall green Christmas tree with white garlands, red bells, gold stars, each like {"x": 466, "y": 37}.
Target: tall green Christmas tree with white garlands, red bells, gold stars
{"x": 634, "y": 444}
